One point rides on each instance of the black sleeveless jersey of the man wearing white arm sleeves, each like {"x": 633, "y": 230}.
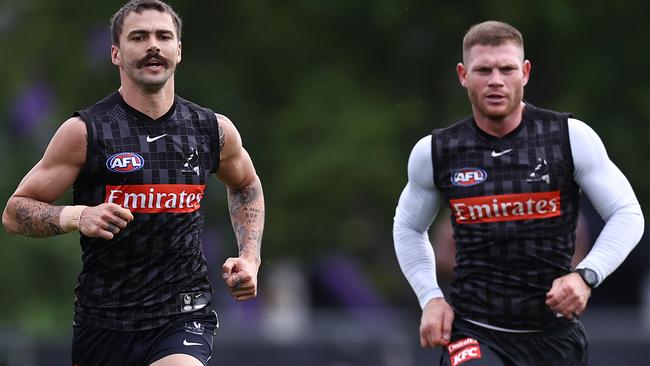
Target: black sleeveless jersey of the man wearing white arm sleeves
{"x": 514, "y": 209}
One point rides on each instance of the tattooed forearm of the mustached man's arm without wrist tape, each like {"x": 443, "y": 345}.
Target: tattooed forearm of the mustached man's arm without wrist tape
{"x": 246, "y": 207}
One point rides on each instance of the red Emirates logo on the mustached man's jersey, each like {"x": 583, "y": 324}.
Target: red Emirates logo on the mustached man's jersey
{"x": 157, "y": 198}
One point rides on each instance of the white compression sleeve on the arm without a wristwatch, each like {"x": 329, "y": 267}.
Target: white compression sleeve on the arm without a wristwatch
{"x": 418, "y": 205}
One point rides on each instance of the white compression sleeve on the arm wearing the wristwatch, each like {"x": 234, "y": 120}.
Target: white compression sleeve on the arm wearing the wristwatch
{"x": 612, "y": 197}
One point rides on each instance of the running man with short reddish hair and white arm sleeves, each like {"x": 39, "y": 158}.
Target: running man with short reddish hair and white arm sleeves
{"x": 511, "y": 175}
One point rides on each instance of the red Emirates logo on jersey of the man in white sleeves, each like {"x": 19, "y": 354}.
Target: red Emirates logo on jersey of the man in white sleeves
{"x": 506, "y": 207}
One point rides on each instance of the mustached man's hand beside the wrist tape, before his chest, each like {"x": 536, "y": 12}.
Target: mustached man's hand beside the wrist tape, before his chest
{"x": 104, "y": 221}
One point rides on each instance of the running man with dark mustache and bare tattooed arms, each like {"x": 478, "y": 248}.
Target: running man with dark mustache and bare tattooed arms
{"x": 138, "y": 162}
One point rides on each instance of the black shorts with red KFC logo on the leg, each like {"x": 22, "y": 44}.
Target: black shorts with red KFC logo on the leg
{"x": 474, "y": 345}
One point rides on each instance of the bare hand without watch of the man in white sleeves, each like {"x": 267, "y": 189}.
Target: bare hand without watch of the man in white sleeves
{"x": 435, "y": 326}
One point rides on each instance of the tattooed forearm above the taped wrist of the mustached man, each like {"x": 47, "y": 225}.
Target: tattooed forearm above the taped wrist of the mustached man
{"x": 37, "y": 219}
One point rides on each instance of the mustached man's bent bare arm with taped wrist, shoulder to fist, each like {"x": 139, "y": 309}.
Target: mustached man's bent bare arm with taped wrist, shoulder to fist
{"x": 29, "y": 210}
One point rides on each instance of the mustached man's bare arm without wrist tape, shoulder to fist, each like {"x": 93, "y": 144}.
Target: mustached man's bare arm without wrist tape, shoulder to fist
{"x": 246, "y": 206}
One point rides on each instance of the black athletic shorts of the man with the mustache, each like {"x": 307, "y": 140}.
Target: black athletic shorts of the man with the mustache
{"x": 190, "y": 335}
